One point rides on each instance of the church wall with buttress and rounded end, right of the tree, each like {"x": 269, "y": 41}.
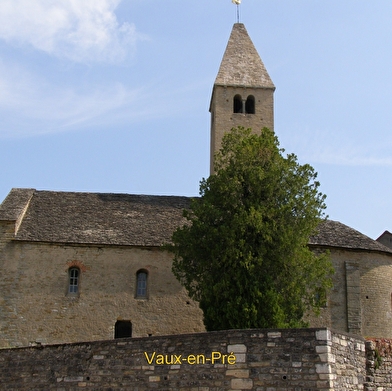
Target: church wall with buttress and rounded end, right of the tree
{"x": 360, "y": 301}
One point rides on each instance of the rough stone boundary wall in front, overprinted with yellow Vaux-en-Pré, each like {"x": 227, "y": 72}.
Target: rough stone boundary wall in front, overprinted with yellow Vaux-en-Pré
{"x": 261, "y": 360}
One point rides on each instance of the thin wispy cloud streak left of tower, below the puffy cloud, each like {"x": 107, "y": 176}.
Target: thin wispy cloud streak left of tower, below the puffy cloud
{"x": 31, "y": 104}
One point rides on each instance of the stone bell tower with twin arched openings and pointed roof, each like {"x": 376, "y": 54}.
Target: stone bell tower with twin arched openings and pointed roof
{"x": 243, "y": 92}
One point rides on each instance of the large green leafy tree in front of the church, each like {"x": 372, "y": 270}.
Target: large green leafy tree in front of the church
{"x": 244, "y": 253}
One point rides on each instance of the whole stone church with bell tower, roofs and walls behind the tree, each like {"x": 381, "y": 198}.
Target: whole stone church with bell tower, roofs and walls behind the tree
{"x": 89, "y": 266}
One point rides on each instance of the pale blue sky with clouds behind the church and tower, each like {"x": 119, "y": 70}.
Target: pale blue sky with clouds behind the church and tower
{"x": 113, "y": 96}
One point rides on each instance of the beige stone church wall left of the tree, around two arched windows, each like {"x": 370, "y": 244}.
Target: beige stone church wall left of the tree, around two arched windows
{"x": 35, "y": 306}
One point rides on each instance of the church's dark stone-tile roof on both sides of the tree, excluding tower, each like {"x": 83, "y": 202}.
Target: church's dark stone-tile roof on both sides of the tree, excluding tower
{"x": 126, "y": 219}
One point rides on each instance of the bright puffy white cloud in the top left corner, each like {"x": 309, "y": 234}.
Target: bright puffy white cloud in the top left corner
{"x": 81, "y": 30}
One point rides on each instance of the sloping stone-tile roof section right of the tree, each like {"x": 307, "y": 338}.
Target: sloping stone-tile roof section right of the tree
{"x": 335, "y": 234}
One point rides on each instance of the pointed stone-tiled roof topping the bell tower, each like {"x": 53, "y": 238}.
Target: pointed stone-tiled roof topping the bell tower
{"x": 241, "y": 64}
